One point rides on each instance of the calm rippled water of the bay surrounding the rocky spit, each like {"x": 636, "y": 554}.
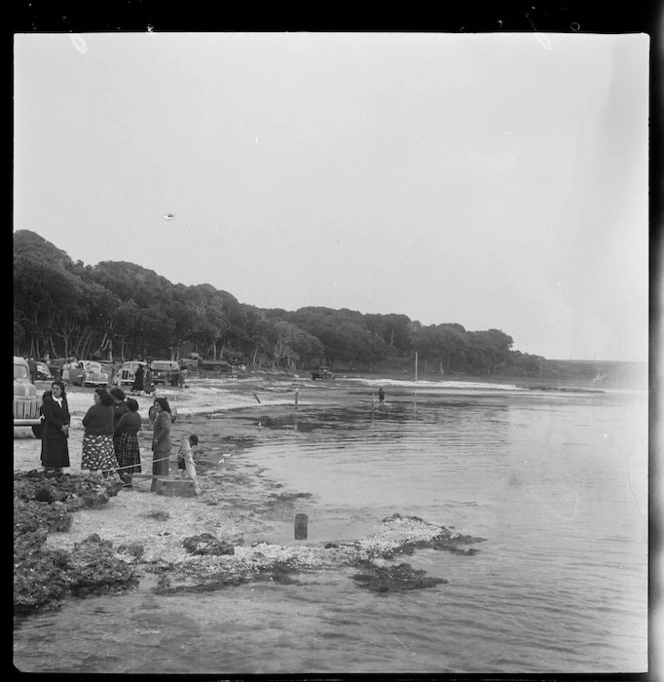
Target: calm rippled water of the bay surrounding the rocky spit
{"x": 556, "y": 483}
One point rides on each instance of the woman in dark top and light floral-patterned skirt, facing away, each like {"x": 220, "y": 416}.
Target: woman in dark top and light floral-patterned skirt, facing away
{"x": 98, "y": 451}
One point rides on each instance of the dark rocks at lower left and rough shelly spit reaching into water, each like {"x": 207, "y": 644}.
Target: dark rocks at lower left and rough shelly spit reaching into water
{"x": 44, "y": 575}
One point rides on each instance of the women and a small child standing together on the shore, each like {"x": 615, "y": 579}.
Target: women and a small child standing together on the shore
{"x": 110, "y": 440}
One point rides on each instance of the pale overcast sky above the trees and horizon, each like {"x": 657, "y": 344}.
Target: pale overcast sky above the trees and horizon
{"x": 493, "y": 180}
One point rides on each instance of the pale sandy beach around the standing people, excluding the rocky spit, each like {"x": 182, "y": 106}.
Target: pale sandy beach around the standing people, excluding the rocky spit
{"x": 233, "y": 491}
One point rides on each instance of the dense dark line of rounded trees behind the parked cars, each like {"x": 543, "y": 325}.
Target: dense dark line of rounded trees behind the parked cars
{"x": 121, "y": 310}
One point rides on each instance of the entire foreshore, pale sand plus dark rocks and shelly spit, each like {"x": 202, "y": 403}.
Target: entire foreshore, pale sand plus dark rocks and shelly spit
{"x": 77, "y": 534}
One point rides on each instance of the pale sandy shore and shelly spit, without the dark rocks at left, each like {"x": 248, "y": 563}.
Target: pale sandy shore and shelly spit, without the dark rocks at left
{"x": 241, "y": 508}
